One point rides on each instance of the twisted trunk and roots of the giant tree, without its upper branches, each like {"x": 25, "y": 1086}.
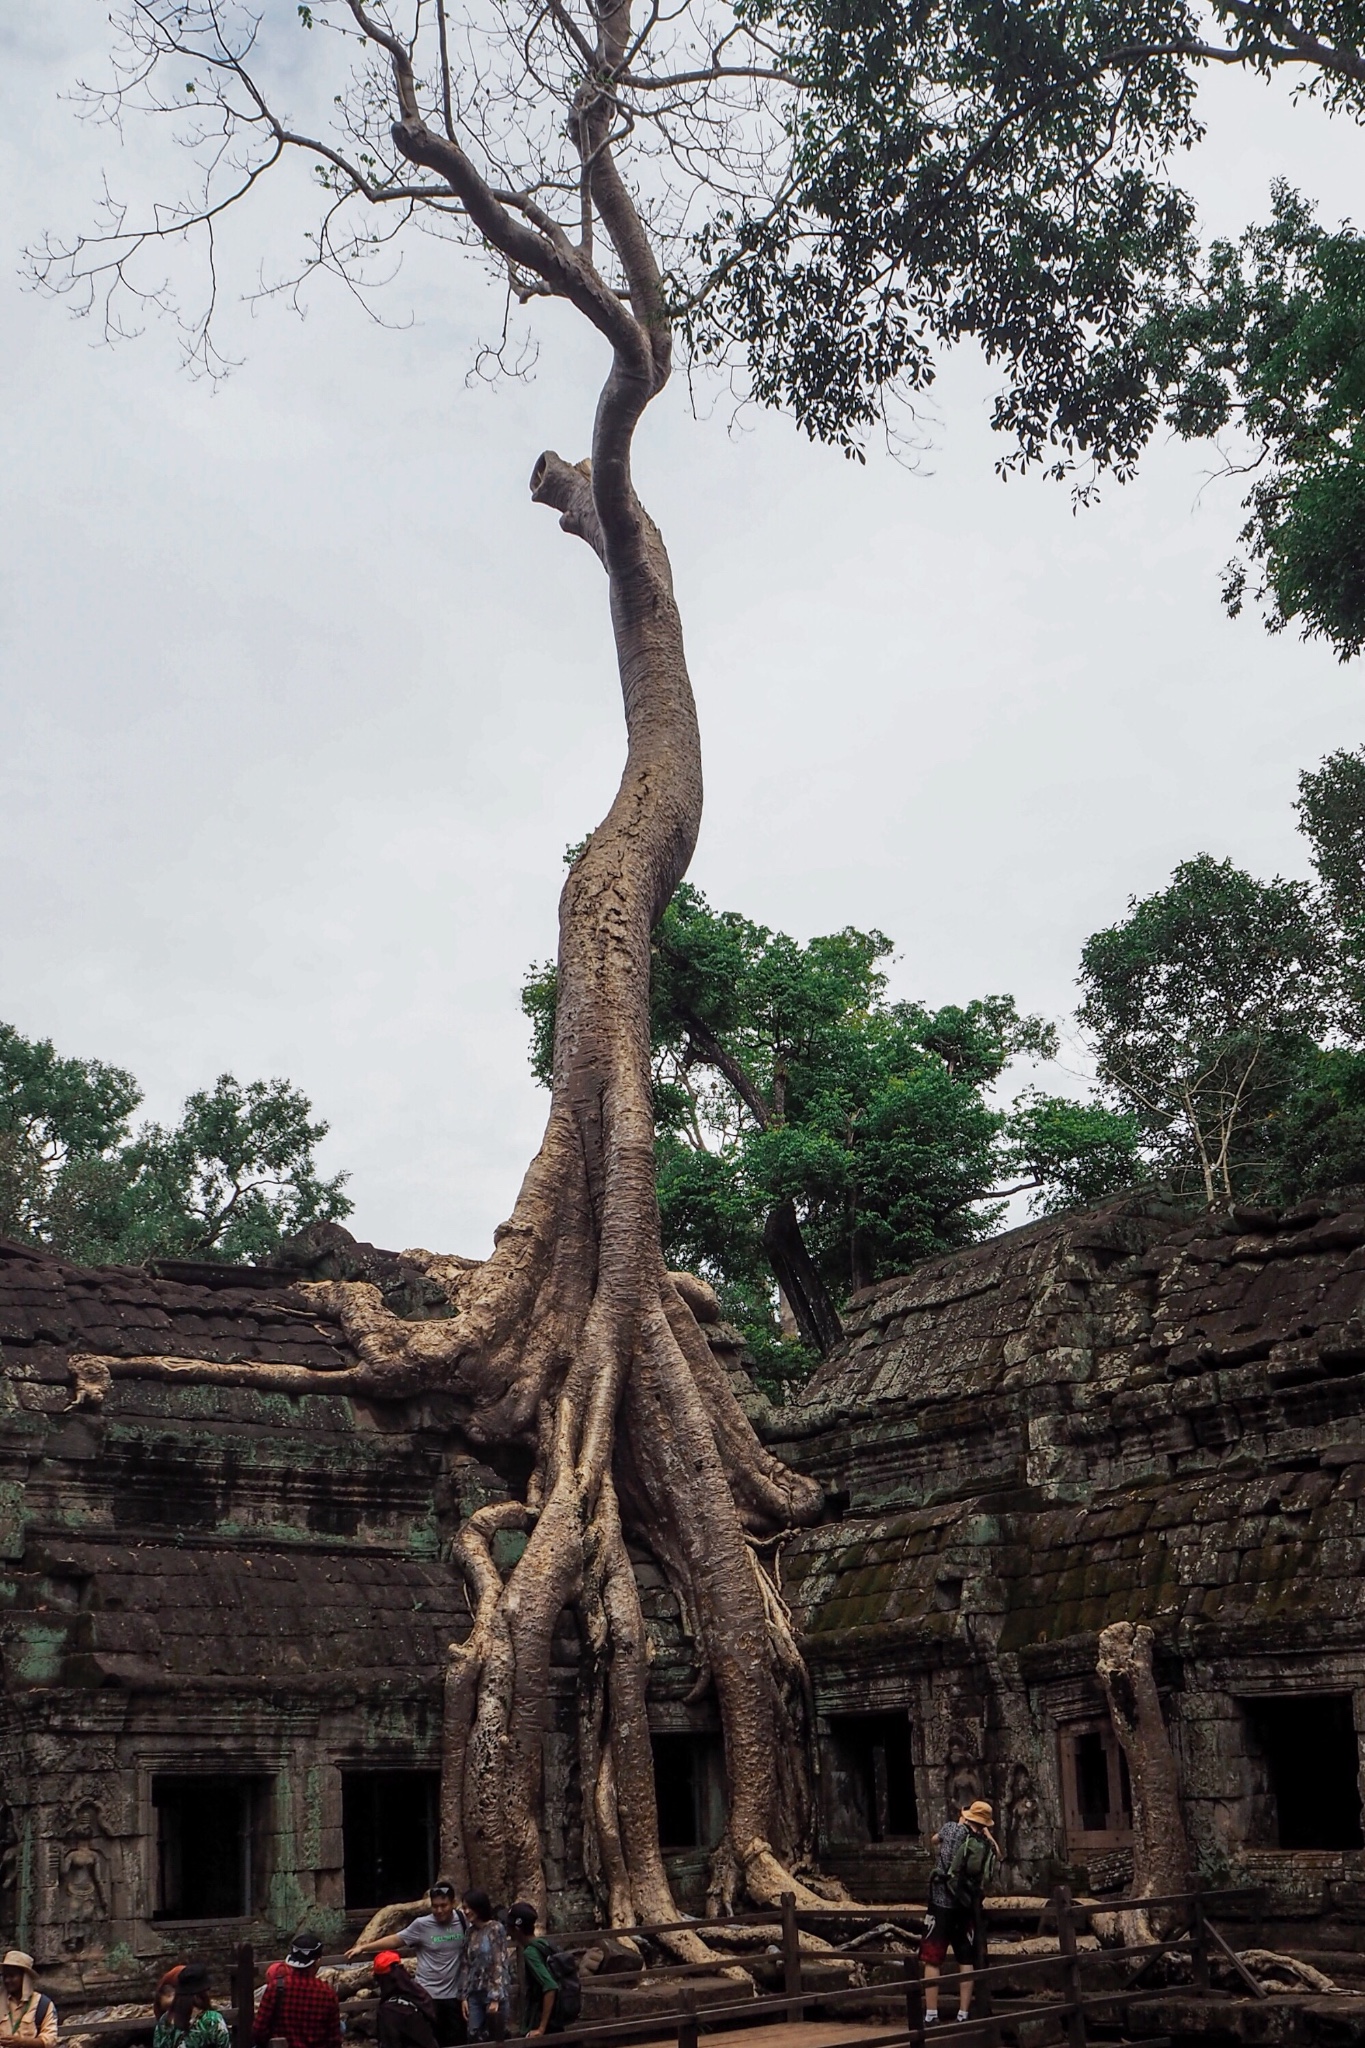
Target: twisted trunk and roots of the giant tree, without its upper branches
{"x": 578, "y": 1342}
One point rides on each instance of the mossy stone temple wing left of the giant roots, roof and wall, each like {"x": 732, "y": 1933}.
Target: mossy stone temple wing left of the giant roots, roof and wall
{"x": 216, "y": 1582}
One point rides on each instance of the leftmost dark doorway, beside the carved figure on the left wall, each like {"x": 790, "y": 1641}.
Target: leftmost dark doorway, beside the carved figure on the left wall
{"x": 210, "y": 1844}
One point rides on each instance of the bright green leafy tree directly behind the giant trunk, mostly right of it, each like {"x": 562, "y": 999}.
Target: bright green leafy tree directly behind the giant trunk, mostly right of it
{"x": 816, "y": 1138}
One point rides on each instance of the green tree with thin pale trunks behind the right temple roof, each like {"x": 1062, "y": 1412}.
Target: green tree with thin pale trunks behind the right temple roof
{"x": 1229, "y": 1015}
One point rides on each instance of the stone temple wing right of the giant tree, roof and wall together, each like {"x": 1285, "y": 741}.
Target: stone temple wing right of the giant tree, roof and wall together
{"x": 1098, "y": 1418}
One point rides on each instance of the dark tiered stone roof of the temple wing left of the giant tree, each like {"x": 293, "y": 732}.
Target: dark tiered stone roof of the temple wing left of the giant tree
{"x": 204, "y": 1535}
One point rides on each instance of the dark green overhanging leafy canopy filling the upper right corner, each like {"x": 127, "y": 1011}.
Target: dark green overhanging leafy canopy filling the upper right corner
{"x": 969, "y": 171}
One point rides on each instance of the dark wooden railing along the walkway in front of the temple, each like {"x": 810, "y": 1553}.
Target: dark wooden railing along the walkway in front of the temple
{"x": 1065, "y": 2004}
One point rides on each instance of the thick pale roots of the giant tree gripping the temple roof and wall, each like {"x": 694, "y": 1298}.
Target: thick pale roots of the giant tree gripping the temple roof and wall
{"x": 685, "y": 1463}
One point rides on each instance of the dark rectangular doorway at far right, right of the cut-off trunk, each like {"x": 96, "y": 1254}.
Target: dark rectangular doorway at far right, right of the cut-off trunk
{"x": 1313, "y": 1760}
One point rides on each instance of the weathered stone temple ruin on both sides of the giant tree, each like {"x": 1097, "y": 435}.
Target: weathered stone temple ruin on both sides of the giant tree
{"x": 224, "y": 1609}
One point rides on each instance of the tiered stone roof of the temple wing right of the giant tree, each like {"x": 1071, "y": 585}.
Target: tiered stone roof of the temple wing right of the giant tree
{"x": 1096, "y": 1418}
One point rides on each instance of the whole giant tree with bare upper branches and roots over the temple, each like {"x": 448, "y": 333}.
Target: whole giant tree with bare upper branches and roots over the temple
{"x": 558, "y": 140}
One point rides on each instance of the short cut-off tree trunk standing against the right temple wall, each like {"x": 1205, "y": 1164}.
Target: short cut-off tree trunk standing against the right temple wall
{"x": 1161, "y": 1854}
